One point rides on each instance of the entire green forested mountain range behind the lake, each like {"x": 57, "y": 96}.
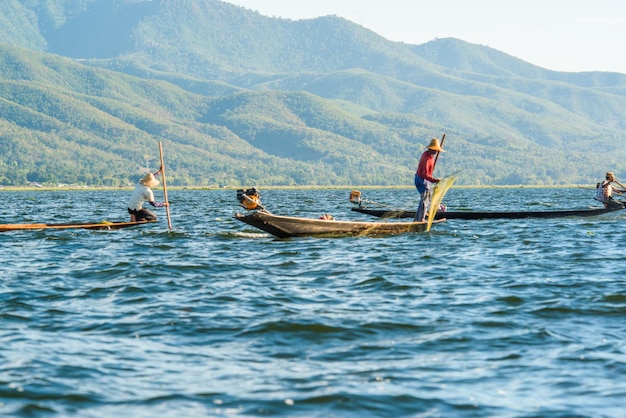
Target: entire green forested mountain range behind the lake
{"x": 88, "y": 88}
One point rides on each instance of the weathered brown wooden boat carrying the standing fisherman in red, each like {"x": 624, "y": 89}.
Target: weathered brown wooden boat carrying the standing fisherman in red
{"x": 288, "y": 226}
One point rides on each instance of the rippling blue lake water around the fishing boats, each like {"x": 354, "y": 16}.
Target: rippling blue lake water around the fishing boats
{"x": 507, "y": 318}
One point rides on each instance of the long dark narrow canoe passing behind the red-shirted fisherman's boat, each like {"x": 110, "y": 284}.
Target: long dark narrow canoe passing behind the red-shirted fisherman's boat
{"x": 472, "y": 215}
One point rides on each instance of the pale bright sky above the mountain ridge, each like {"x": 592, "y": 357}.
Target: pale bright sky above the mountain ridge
{"x": 560, "y": 35}
